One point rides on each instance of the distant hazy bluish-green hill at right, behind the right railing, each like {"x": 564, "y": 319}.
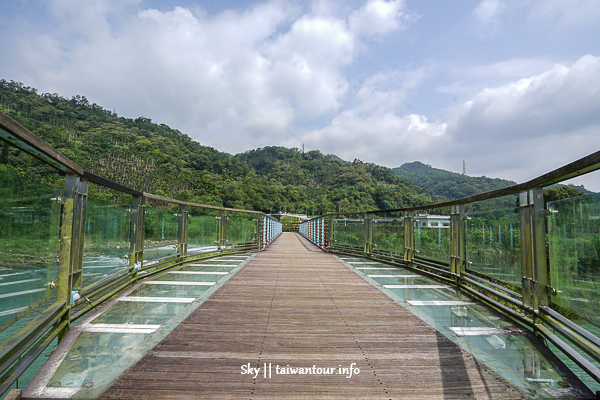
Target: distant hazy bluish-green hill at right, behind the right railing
{"x": 448, "y": 184}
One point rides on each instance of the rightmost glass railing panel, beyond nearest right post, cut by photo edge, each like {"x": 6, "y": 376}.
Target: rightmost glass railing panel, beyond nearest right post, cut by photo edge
{"x": 574, "y": 256}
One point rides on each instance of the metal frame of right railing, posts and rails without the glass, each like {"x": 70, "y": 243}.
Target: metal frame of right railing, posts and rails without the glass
{"x": 530, "y": 307}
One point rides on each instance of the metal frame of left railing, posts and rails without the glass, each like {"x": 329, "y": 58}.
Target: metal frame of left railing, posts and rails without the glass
{"x": 74, "y": 298}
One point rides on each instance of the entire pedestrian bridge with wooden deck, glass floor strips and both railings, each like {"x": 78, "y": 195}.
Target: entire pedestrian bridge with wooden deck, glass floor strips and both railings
{"x": 489, "y": 297}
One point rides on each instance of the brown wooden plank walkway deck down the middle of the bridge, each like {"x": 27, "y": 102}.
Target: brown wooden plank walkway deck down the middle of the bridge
{"x": 296, "y": 305}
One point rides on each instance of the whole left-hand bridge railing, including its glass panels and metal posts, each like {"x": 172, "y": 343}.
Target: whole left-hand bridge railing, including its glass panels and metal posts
{"x": 76, "y": 251}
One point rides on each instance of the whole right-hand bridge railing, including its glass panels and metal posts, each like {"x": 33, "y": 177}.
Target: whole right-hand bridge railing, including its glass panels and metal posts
{"x": 536, "y": 263}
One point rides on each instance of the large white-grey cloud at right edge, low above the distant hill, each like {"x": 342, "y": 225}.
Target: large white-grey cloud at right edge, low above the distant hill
{"x": 532, "y": 125}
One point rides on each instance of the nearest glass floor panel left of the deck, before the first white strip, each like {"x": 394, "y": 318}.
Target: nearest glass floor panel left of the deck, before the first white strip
{"x": 92, "y": 355}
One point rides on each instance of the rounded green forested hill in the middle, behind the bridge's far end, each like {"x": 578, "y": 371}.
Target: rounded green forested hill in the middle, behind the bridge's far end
{"x": 331, "y": 184}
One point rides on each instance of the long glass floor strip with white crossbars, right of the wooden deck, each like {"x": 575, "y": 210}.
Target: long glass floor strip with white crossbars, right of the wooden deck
{"x": 458, "y": 317}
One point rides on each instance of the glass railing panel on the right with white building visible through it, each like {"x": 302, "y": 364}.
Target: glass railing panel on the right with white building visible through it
{"x": 432, "y": 234}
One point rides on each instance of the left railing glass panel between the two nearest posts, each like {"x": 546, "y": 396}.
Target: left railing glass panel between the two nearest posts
{"x": 106, "y": 243}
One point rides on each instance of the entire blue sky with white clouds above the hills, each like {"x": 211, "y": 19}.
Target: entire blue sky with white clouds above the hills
{"x": 510, "y": 86}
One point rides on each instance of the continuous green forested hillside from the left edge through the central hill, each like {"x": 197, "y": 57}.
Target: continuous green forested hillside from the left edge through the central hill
{"x": 155, "y": 158}
